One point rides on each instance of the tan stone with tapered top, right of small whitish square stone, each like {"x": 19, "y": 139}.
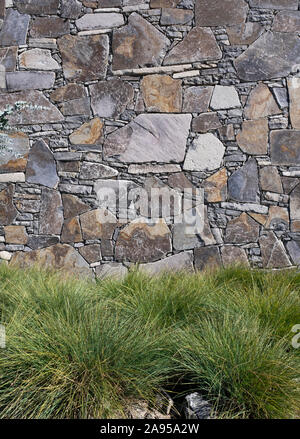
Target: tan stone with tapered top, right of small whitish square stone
{"x": 261, "y": 103}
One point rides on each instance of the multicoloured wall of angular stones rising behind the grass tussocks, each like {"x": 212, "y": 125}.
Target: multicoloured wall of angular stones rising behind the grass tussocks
{"x": 150, "y": 93}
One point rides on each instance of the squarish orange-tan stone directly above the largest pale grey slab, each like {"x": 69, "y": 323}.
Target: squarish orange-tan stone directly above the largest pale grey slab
{"x": 162, "y": 93}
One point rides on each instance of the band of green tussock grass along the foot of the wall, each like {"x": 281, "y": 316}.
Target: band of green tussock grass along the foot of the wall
{"x": 82, "y": 349}
